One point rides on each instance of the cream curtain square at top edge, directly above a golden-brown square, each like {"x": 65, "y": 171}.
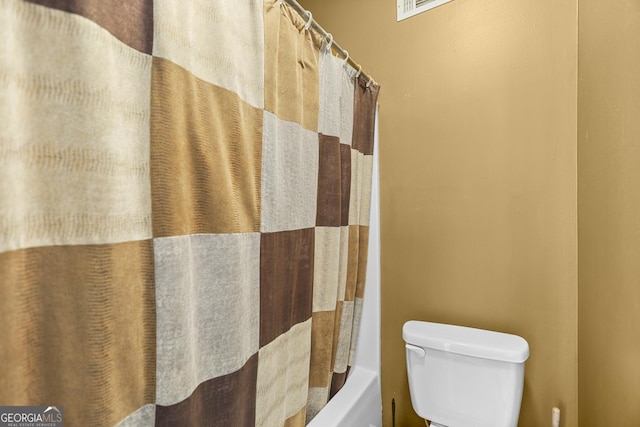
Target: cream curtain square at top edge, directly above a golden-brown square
{"x": 211, "y": 40}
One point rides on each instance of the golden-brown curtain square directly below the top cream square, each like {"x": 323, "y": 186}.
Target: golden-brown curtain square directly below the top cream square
{"x": 206, "y": 150}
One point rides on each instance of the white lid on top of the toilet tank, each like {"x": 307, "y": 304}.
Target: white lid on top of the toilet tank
{"x": 467, "y": 341}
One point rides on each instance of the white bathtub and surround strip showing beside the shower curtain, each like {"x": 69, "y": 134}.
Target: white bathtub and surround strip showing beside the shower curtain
{"x": 359, "y": 402}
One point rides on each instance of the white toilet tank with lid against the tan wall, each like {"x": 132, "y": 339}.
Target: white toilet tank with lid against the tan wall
{"x": 464, "y": 377}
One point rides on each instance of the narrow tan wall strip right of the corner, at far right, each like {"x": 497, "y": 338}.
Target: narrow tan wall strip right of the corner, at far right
{"x": 609, "y": 212}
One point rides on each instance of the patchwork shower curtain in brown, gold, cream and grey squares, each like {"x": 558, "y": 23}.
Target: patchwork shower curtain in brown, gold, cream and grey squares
{"x": 184, "y": 204}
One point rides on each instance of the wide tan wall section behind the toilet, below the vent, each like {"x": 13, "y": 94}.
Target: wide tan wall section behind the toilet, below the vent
{"x": 478, "y": 157}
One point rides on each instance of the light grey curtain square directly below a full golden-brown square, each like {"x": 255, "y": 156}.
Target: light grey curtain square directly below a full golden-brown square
{"x": 207, "y": 309}
